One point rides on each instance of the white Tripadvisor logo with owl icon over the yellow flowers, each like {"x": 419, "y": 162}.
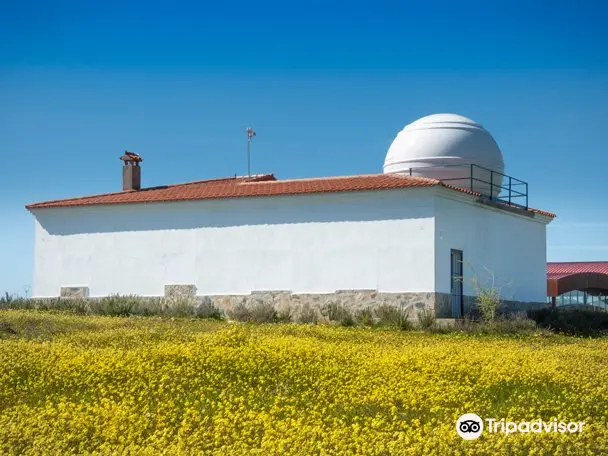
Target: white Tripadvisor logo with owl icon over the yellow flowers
{"x": 470, "y": 426}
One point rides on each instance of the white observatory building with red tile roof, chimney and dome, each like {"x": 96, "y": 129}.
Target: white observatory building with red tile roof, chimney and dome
{"x": 406, "y": 235}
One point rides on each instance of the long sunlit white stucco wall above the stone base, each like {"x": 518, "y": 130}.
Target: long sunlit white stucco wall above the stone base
{"x": 321, "y": 243}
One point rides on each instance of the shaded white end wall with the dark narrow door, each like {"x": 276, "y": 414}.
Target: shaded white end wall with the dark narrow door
{"x": 510, "y": 247}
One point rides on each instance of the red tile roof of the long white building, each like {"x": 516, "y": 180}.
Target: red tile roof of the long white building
{"x": 261, "y": 185}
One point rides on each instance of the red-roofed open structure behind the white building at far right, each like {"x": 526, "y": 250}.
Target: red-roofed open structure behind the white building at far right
{"x": 577, "y": 283}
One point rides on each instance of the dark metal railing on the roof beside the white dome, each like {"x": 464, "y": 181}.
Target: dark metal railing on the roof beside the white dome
{"x": 505, "y": 191}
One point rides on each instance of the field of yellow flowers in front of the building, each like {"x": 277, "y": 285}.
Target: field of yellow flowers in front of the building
{"x": 108, "y": 385}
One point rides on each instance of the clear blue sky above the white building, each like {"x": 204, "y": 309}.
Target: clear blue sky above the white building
{"x": 327, "y": 85}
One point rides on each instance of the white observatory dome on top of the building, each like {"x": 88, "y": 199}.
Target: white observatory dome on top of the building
{"x": 443, "y": 144}
